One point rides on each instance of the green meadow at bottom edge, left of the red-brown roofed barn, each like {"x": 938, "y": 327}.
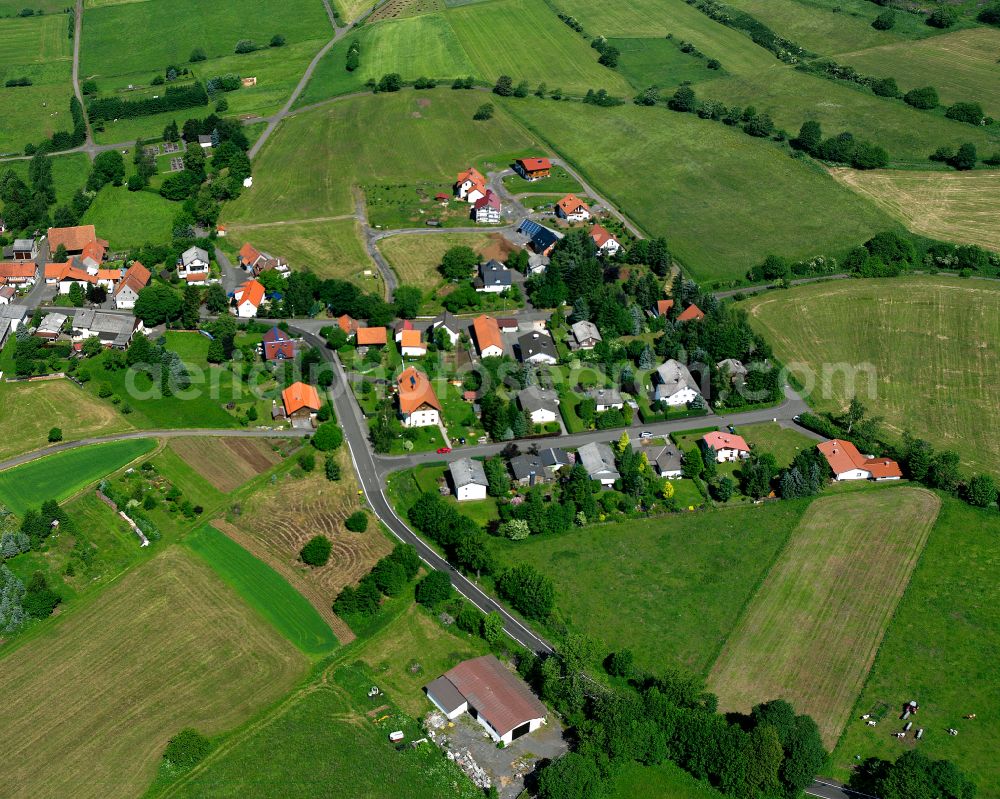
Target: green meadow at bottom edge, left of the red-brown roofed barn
{"x": 328, "y": 740}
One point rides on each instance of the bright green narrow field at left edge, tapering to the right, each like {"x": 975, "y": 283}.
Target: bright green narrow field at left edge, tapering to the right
{"x": 61, "y": 475}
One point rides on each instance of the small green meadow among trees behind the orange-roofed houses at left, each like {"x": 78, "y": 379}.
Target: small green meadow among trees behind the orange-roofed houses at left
{"x": 129, "y": 219}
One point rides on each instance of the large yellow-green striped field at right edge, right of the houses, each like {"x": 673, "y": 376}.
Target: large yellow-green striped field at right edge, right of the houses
{"x": 923, "y": 342}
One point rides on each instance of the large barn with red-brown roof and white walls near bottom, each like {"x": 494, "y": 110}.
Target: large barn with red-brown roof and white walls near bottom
{"x": 495, "y": 697}
